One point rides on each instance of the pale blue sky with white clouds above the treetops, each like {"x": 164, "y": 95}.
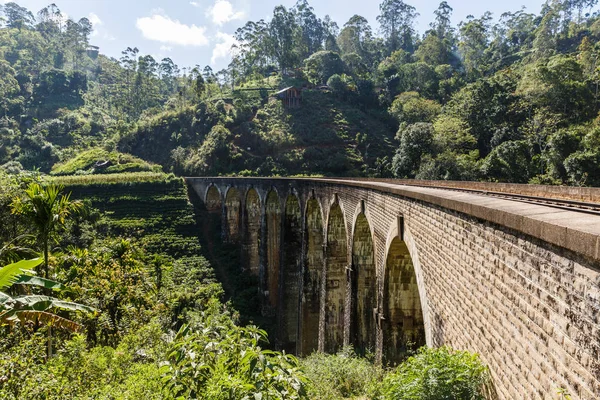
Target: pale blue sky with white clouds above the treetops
{"x": 200, "y": 31}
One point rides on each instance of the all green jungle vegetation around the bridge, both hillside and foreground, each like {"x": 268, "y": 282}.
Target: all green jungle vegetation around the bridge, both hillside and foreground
{"x": 117, "y": 299}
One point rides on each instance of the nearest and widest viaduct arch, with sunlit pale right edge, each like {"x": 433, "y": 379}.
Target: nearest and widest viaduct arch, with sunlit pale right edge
{"x": 404, "y": 317}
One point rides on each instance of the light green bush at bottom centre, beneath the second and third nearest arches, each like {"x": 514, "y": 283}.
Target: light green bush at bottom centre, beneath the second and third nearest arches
{"x": 341, "y": 376}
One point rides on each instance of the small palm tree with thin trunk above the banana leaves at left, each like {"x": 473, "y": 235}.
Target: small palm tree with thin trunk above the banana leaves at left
{"x": 47, "y": 208}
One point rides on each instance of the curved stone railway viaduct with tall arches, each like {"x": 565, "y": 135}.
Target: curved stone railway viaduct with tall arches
{"x": 387, "y": 267}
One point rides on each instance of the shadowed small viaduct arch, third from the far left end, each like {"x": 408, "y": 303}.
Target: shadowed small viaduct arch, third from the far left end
{"x": 252, "y": 218}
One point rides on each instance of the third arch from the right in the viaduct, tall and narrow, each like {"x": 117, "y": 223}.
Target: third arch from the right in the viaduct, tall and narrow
{"x": 336, "y": 279}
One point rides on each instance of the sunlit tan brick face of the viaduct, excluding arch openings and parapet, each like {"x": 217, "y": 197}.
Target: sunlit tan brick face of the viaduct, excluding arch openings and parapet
{"x": 531, "y": 309}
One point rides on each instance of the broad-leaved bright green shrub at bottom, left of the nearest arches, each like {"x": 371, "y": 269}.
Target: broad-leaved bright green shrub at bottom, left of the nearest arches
{"x": 219, "y": 360}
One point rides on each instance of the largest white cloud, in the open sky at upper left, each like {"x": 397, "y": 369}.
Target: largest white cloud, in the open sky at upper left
{"x": 163, "y": 29}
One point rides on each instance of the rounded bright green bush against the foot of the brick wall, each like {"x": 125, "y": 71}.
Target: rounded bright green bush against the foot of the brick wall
{"x": 438, "y": 374}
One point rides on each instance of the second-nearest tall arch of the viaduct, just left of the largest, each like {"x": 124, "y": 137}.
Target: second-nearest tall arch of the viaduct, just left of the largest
{"x": 363, "y": 286}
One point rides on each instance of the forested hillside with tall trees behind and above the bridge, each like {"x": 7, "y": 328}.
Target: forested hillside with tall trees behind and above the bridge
{"x": 511, "y": 97}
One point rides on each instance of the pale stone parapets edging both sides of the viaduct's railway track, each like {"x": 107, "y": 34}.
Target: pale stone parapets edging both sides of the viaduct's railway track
{"x": 574, "y": 229}
